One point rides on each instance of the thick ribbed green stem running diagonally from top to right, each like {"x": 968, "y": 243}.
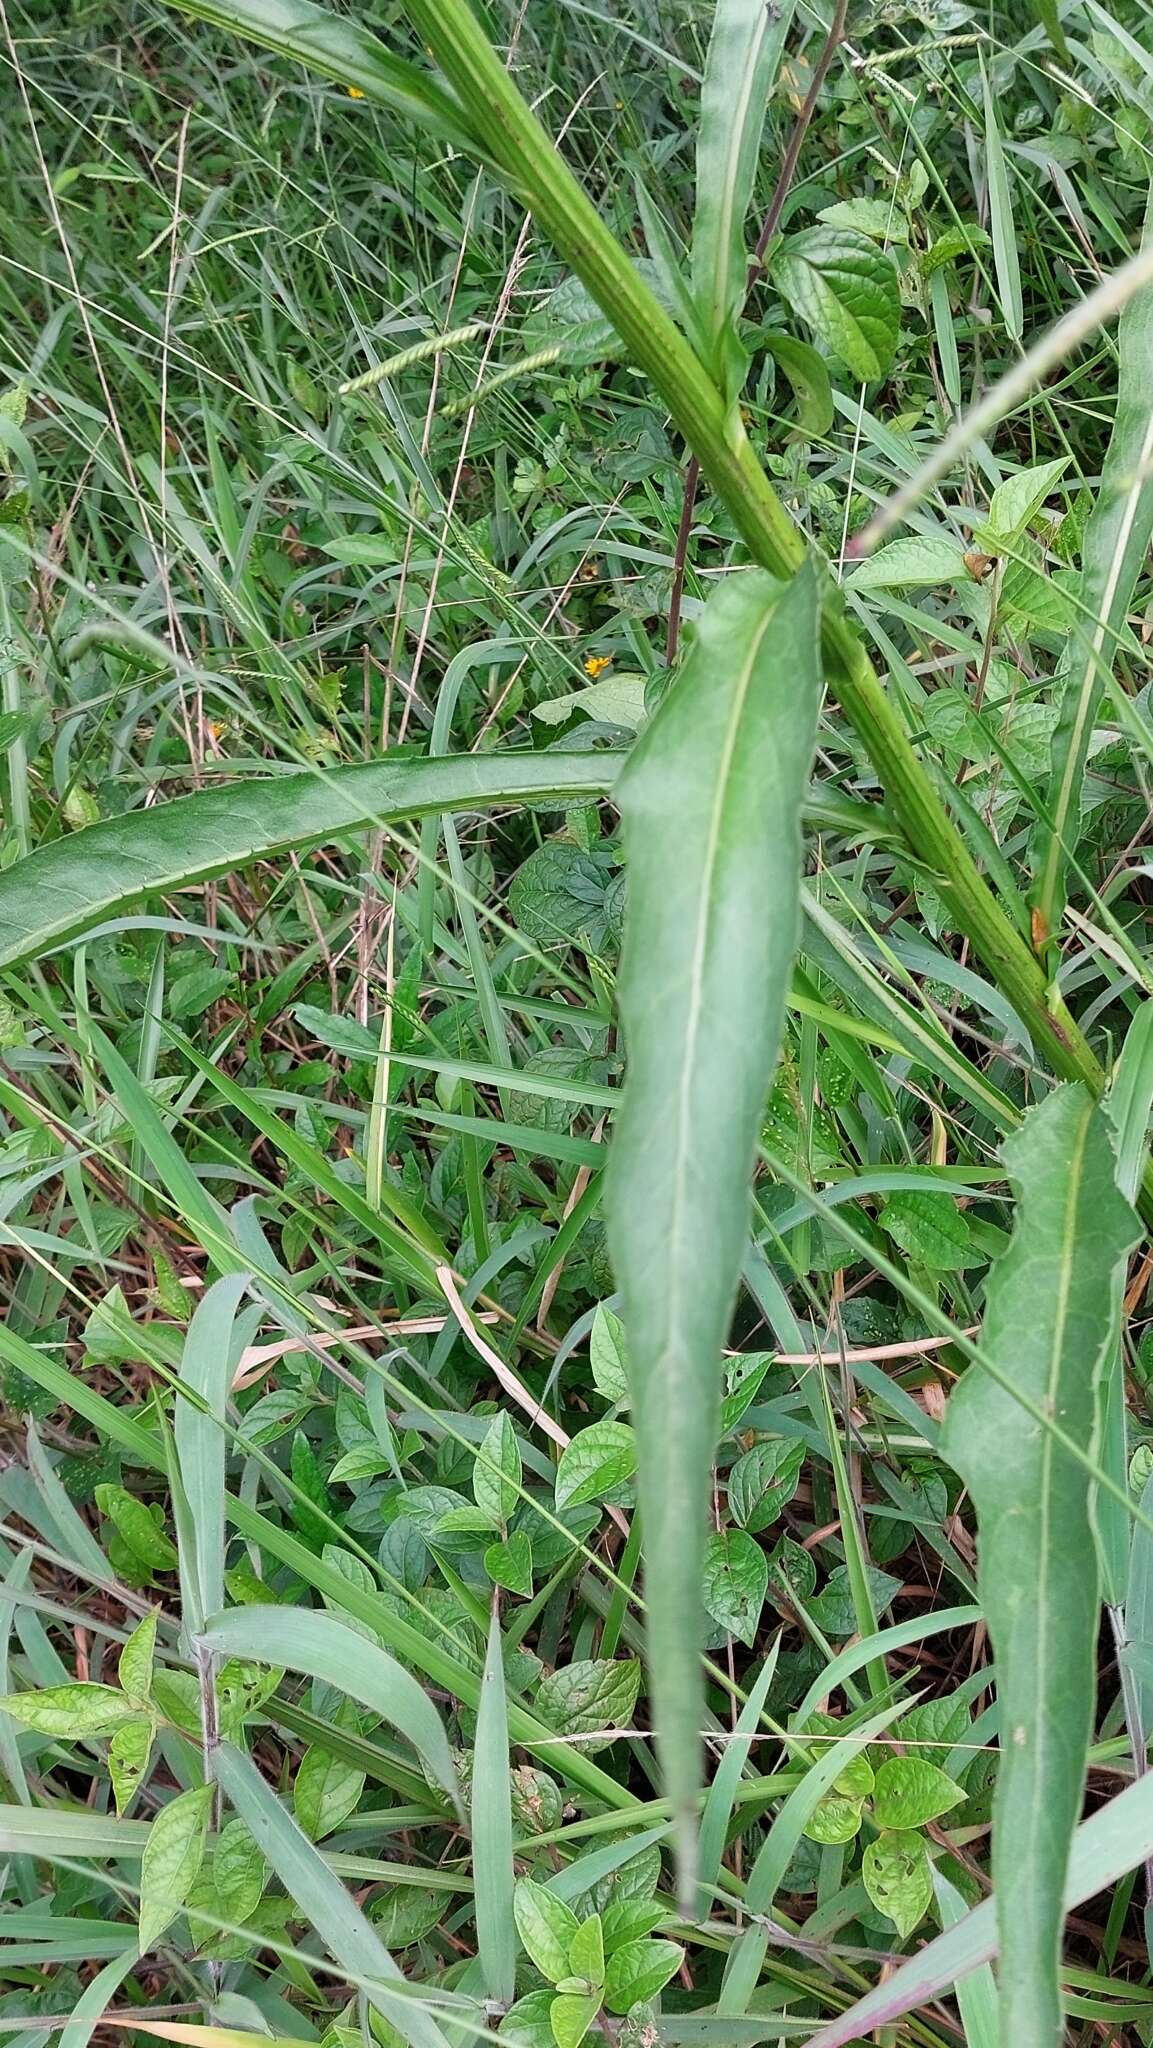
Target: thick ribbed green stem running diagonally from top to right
{"x": 531, "y": 163}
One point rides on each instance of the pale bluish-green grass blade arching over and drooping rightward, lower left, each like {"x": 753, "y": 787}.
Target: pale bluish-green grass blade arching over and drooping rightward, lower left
{"x": 304, "y": 1639}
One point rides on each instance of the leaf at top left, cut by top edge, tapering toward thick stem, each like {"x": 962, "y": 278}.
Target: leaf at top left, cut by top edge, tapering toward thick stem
{"x": 341, "y": 50}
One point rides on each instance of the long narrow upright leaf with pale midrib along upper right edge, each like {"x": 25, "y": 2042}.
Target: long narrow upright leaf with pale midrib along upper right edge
{"x": 1117, "y": 544}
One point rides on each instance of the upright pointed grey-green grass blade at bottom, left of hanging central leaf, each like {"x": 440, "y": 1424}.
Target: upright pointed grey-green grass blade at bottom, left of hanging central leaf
{"x": 493, "y": 1830}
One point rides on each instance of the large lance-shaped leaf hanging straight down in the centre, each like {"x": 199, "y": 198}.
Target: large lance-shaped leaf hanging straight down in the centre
{"x": 712, "y": 804}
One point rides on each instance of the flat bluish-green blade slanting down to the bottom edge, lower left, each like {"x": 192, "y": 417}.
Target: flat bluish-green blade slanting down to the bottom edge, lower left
{"x": 335, "y": 1916}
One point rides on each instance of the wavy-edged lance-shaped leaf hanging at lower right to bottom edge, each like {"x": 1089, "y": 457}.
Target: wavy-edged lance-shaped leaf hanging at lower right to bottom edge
{"x": 1050, "y": 1322}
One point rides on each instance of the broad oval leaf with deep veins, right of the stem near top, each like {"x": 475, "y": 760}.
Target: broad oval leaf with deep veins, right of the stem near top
{"x": 849, "y": 292}
